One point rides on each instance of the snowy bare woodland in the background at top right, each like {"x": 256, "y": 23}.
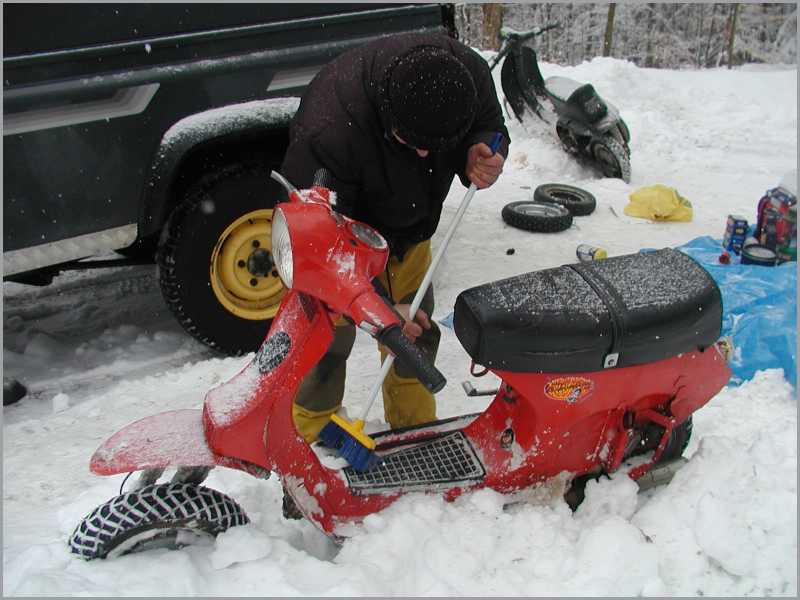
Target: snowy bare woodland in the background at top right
{"x": 660, "y": 35}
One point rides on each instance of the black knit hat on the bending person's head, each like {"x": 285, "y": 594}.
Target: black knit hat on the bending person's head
{"x": 429, "y": 98}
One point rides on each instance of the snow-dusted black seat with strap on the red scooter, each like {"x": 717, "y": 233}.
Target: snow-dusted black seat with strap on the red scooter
{"x": 618, "y": 312}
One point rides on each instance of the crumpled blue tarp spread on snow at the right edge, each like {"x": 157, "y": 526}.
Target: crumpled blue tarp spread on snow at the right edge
{"x": 759, "y": 310}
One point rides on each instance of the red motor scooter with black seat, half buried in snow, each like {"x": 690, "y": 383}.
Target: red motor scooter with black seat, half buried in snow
{"x": 600, "y": 368}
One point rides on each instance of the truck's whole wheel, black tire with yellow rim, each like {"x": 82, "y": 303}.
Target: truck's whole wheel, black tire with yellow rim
{"x": 214, "y": 258}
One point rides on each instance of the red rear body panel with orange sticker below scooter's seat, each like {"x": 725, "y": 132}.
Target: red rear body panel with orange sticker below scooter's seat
{"x": 543, "y": 424}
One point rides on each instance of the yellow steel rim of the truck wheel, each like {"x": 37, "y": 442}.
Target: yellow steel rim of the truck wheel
{"x": 242, "y": 272}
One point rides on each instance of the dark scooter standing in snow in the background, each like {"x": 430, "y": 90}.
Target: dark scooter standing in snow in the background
{"x": 589, "y": 126}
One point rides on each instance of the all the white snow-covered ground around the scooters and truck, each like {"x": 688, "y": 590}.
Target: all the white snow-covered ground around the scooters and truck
{"x": 99, "y": 350}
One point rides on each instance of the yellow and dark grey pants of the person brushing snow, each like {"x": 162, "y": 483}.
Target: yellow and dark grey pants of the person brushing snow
{"x": 405, "y": 400}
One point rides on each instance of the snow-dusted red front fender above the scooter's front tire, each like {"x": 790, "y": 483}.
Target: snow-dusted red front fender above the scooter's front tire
{"x": 173, "y": 438}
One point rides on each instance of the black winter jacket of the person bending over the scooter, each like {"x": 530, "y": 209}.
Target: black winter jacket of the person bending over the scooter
{"x": 376, "y": 179}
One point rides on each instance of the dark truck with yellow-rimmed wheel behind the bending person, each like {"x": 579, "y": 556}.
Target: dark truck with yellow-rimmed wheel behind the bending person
{"x": 147, "y": 132}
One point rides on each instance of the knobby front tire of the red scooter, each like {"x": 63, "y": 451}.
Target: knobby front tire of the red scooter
{"x": 153, "y": 517}
